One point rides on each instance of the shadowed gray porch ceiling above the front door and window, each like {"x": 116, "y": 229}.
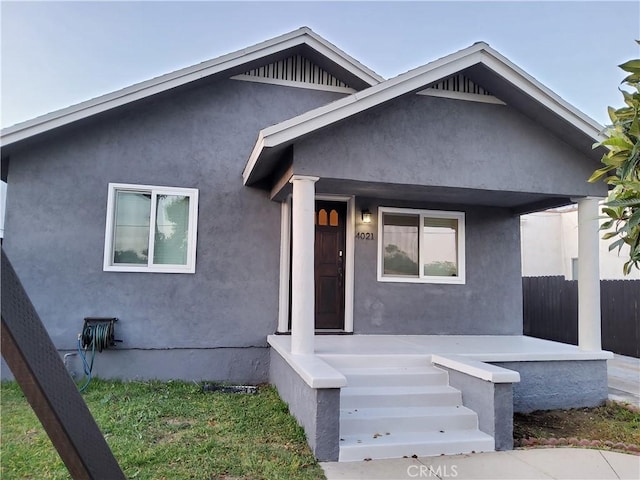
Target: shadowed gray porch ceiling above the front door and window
{"x": 518, "y": 202}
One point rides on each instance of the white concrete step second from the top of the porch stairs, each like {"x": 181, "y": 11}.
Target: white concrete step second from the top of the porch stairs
{"x": 395, "y": 376}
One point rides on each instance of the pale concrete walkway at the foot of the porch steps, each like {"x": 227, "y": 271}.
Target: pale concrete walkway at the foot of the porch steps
{"x": 544, "y": 463}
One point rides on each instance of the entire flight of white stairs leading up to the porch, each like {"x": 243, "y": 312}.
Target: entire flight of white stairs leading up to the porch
{"x": 401, "y": 405}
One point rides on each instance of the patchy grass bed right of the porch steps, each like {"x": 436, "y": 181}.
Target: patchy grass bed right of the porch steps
{"x": 612, "y": 422}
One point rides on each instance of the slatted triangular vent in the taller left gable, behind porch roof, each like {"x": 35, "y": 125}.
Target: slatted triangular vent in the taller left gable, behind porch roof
{"x": 296, "y": 71}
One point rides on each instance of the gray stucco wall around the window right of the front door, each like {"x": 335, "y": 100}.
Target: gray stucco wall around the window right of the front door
{"x": 489, "y": 303}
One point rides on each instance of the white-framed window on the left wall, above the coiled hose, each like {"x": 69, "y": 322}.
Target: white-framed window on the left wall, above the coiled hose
{"x": 151, "y": 229}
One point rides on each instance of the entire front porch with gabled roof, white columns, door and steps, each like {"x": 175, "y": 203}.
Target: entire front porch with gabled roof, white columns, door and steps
{"x": 425, "y": 252}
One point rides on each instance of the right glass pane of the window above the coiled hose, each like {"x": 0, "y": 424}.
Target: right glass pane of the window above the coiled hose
{"x": 172, "y": 229}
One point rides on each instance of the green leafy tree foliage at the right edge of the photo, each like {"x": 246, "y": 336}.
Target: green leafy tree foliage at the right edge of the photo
{"x": 622, "y": 170}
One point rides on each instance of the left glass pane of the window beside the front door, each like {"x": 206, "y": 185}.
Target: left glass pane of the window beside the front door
{"x": 400, "y": 243}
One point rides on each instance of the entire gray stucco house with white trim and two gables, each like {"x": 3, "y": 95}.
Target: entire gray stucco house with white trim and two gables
{"x": 228, "y": 212}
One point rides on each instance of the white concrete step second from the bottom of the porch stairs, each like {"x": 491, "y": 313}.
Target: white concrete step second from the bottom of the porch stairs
{"x": 410, "y": 419}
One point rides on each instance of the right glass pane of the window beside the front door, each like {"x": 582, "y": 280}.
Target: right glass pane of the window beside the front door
{"x": 440, "y": 247}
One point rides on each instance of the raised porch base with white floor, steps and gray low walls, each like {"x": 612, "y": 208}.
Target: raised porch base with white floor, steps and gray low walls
{"x": 386, "y": 382}
